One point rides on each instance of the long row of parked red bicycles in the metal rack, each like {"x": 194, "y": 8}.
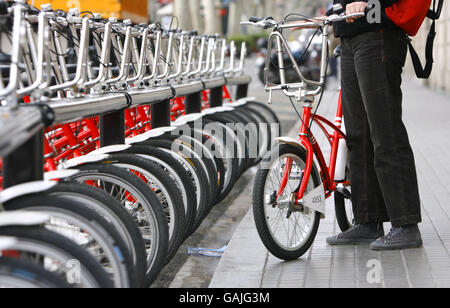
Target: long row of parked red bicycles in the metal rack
{"x": 137, "y": 134}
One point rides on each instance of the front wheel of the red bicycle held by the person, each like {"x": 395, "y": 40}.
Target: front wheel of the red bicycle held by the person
{"x": 286, "y": 230}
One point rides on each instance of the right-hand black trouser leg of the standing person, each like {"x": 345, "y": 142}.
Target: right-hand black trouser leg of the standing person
{"x": 379, "y": 60}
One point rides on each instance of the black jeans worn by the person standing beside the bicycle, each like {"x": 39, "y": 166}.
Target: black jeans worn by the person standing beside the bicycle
{"x": 383, "y": 172}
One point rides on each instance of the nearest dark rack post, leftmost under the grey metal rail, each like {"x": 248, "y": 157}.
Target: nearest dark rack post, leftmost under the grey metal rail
{"x": 25, "y": 163}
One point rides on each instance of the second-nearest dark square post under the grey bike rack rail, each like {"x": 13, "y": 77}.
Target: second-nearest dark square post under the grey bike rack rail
{"x": 112, "y": 128}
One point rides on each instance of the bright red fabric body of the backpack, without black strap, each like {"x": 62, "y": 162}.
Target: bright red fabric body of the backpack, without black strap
{"x": 409, "y": 15}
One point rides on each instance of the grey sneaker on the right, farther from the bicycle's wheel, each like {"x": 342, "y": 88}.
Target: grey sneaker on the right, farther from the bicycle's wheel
{"x": 399, "y": 238}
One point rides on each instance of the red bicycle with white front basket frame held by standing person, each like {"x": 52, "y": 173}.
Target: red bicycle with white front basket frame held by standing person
{"x": 294, "y": 179}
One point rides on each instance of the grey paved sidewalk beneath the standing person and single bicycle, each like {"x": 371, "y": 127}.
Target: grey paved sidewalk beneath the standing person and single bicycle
{"x": 247, "y": 264}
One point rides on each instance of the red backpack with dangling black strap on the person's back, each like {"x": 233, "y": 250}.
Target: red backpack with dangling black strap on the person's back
{"x": 409, "y": 16}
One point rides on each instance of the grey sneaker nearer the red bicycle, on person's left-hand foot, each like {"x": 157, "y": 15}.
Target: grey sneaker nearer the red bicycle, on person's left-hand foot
{"x": 358, "y": 235}
